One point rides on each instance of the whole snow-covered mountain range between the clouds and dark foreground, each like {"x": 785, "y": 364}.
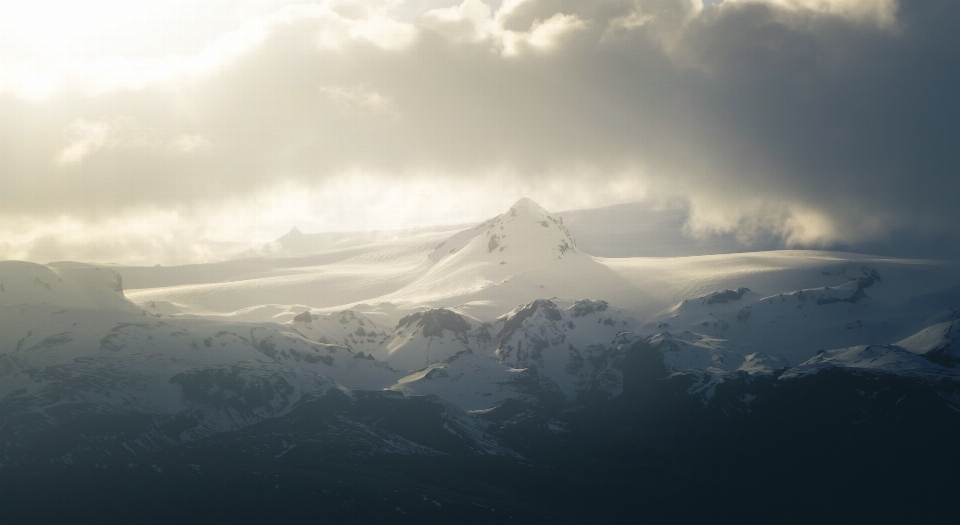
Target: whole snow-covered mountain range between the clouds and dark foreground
{"x": 485, "y": 330}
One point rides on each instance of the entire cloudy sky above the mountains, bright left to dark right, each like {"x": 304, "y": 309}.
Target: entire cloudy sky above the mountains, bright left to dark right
{"x": 138, "y": 131}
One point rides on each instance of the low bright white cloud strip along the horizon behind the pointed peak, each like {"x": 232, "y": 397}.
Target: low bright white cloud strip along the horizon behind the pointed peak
{"x": 353, "y": 201}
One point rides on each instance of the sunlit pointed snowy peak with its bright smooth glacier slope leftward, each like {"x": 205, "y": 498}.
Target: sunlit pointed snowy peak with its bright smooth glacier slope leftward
{"x": 514, "y": 258}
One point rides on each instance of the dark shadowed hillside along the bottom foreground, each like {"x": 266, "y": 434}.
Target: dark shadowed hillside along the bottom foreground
{"x": 833, "y": 446}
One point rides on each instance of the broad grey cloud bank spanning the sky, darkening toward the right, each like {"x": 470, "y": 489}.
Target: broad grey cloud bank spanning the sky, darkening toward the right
{"x": 820, "y": 123}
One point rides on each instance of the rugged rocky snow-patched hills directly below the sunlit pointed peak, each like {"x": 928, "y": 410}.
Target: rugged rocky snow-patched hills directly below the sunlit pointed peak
{"x": 540, "y": 352}
